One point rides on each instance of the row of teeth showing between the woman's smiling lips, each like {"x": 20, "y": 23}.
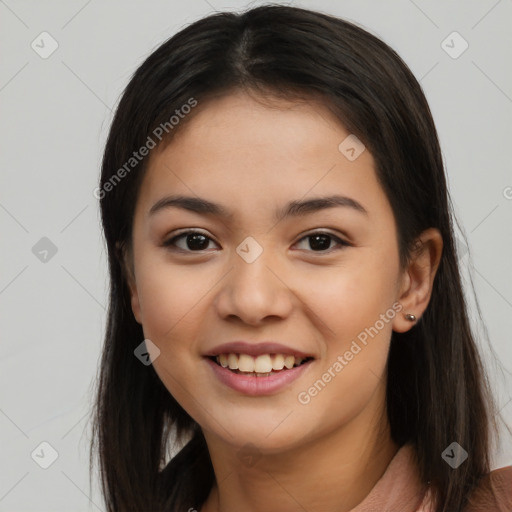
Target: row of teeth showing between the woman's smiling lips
{"x": 263, "y": 365}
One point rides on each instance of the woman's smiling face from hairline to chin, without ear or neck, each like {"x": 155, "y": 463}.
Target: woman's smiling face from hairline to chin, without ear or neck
{"x": 322, "y": 282}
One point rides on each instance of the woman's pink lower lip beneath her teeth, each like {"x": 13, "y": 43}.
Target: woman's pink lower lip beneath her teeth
{"x": 257, "y": 386}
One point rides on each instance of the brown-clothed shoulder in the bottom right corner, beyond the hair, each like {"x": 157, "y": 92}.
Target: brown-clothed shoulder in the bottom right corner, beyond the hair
{"x": 494, "y": 492}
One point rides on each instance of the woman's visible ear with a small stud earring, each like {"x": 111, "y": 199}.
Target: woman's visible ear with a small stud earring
{"x": 417, "y": 280}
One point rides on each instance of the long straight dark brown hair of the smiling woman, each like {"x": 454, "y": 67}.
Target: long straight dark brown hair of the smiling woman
{"x": 437, "y": 389}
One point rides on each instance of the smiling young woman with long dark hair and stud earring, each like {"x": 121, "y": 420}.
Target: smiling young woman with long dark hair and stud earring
{"x": 286, "y": 311}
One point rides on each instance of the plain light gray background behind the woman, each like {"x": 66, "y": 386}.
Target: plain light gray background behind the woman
{"x": 55, "y": 114}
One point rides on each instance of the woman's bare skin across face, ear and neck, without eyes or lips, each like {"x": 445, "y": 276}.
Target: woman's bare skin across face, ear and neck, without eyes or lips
{"x": 252, "y": 158}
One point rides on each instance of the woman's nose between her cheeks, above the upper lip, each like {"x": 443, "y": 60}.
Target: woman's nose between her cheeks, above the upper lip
{"x": 253, "y": 292}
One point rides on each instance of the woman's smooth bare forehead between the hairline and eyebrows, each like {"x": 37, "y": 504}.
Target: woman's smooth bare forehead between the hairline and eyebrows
{"x": 239, "y": 151}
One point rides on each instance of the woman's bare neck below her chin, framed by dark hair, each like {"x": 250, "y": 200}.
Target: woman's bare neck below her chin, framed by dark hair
{"x": 332, "y": 474}
